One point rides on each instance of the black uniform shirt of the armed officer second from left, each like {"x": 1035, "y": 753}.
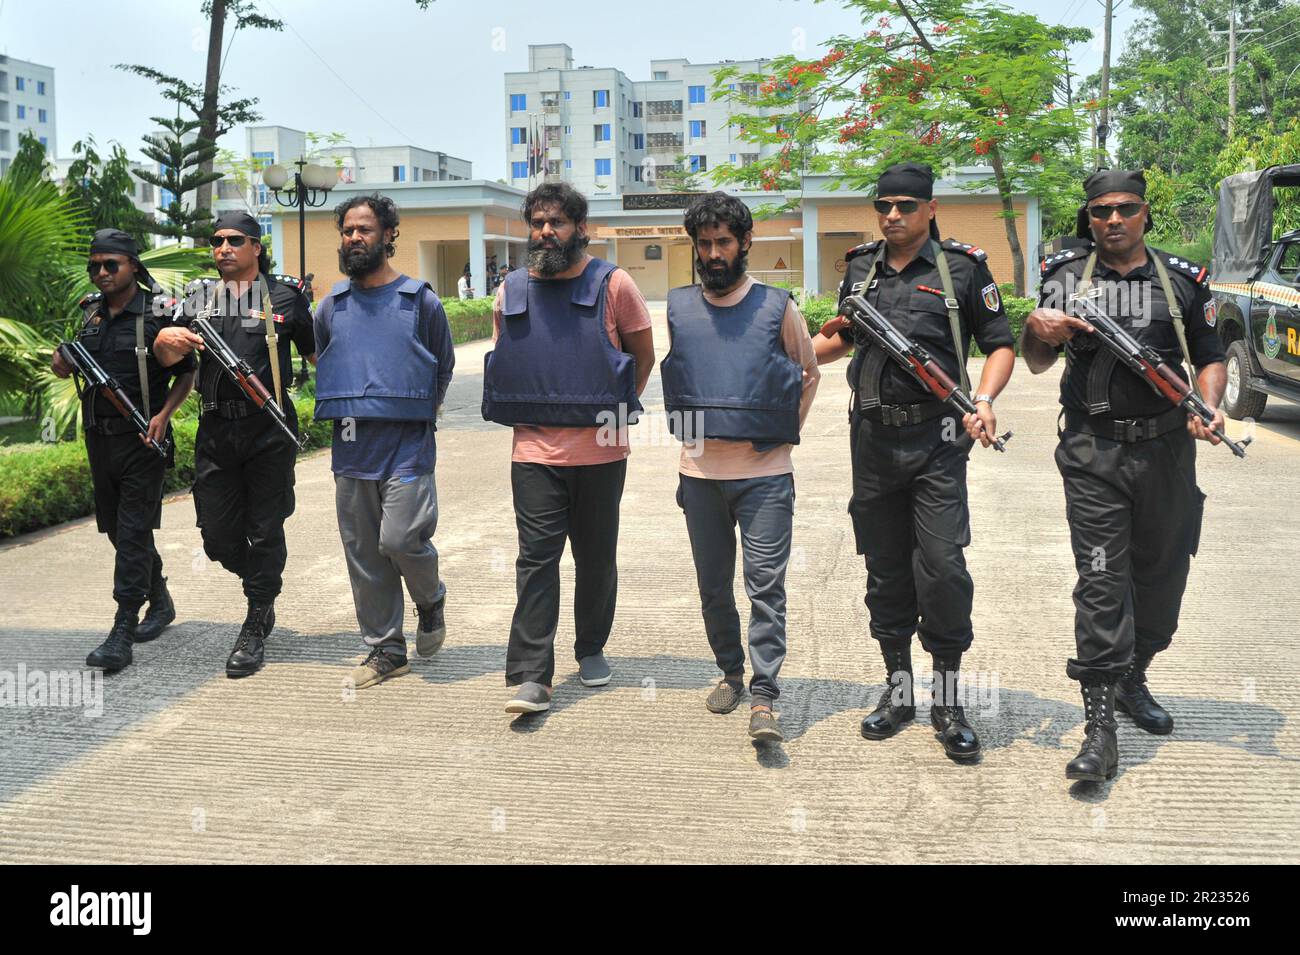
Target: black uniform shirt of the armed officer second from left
{"x": 248, "y": 336}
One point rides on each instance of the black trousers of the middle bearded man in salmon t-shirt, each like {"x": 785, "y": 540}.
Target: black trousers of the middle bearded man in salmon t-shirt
{"x": 553, "y": 505}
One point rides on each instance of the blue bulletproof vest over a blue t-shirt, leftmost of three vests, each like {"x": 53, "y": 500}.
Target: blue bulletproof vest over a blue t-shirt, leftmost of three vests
{"x": 376, "y": 370}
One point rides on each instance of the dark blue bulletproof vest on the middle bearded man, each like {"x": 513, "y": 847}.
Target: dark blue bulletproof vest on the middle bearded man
{"x": 553, "y": 363}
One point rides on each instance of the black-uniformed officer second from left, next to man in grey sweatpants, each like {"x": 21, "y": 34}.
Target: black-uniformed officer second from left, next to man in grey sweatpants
{"x": 244, "y": 484}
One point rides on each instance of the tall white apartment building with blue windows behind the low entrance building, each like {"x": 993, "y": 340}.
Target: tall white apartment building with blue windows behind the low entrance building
{"x": 609, "y": 134}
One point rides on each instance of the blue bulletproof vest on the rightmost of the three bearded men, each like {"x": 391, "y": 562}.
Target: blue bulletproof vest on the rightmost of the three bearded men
{"x": 730, "y": 366}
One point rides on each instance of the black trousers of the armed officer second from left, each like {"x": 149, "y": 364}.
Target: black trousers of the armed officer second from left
{"x": 244, "y": 492}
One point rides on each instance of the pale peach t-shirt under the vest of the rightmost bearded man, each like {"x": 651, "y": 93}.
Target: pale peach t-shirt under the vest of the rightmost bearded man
{"x": 733, "y": 461}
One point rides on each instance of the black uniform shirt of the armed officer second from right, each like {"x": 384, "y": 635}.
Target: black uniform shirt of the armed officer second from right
{"x": 905, "y": 299}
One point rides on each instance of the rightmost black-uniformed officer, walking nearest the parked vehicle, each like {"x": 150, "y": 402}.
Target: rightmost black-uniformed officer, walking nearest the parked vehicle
{"x": 1125, "y": 453}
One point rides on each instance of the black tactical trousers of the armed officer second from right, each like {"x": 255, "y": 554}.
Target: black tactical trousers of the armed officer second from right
{"x": 912, "y": 522}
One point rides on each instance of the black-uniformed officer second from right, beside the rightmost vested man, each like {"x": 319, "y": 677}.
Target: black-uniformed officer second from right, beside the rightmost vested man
{"x": 909, "y": 506}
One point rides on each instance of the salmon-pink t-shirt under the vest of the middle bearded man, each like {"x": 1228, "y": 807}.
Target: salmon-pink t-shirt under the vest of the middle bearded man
{"x": 567, "y": 448}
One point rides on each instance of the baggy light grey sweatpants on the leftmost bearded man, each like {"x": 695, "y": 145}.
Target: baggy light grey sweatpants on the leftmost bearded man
{"x": 388, "y": 529}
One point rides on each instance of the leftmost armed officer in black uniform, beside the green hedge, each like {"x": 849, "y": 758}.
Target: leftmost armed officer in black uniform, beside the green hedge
{"x": 119, "y": 327}
